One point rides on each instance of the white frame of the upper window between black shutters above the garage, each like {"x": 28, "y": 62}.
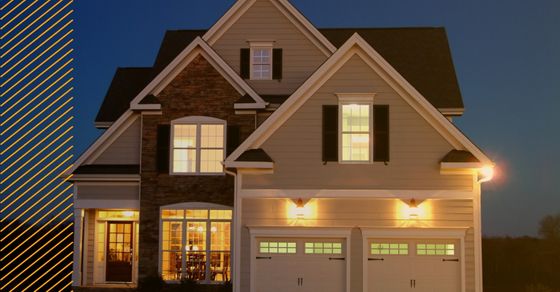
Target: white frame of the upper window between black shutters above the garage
{"x": 359, "y": 99}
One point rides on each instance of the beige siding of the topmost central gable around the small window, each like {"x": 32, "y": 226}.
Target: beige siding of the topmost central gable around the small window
{"x": 264, "y": 22}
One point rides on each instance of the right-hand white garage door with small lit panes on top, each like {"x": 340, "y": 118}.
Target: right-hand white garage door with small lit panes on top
{"x": 413, "y": 265}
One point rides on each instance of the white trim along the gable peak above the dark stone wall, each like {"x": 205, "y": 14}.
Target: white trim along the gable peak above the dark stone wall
{"x": 197, "y": 47}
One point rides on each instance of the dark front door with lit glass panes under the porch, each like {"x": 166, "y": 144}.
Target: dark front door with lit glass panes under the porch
{"x": 119, "y": 252}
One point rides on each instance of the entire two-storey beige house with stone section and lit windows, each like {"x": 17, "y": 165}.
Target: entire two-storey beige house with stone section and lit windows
{"x": 277, "y": 156}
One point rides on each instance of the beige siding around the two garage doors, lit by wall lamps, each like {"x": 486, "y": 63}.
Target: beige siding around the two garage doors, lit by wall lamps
{"x": 365, "y": 213}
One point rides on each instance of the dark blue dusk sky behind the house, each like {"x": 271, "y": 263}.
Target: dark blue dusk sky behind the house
{"x": 506, "y": 54}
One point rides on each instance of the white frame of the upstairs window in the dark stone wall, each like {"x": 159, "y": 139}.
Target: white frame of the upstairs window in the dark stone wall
{"x": 198, "y": 121}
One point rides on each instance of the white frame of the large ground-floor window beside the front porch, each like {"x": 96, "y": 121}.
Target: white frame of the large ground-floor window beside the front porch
{"x": 195, "y": 206}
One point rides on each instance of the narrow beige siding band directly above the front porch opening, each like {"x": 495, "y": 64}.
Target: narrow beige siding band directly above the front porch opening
{"x": 128, "y": 191}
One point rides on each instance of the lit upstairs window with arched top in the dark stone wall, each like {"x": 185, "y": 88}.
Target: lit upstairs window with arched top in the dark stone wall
{"x": 198, "y": 145}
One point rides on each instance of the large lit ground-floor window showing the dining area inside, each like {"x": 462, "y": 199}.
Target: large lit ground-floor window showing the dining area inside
{"x": 196, "y": 244}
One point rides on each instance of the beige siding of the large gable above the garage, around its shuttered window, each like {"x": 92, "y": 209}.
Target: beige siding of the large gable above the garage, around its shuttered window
{"x": 416, "y": 148}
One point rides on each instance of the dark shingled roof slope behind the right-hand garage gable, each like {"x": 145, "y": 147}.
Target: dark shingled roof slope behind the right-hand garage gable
{"x": 421, "y": 55}
